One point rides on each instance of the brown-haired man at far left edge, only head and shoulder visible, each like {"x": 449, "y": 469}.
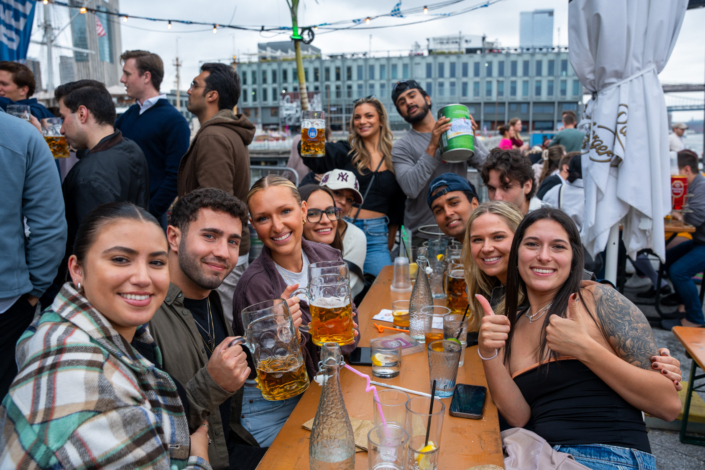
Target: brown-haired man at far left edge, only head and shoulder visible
{"x": 17, "y": 86}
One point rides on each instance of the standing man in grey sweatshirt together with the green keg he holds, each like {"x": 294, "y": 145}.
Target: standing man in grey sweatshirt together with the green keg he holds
{"x": 416, "y": 156}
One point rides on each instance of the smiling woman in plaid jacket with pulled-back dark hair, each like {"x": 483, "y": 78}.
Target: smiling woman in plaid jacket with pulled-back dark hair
{"x": 84, "y": 397}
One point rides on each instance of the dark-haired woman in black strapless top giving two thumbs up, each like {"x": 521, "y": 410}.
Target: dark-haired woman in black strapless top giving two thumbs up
{"x": 573, "y": 363}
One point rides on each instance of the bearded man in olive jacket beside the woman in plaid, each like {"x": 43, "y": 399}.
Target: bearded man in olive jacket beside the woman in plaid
{"x": 204, "y": 235}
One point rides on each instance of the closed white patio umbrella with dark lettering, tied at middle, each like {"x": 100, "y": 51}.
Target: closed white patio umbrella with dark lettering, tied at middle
{"x": 617, "y": 48}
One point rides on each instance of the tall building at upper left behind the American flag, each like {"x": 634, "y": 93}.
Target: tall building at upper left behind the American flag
{"x": 100, "y": 33}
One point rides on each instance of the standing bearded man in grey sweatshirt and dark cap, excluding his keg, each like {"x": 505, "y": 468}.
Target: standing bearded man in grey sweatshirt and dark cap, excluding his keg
{"x": 417, "y": 160}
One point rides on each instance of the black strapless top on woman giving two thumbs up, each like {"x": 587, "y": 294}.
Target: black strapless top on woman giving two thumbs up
{"x": 572, "y": 406}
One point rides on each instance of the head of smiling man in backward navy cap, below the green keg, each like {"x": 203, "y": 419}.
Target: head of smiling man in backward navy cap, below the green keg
{"x": 452, "y": 199}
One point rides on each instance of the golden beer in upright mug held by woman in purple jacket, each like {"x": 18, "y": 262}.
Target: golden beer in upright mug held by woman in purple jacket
{"x": 331, "y": 323}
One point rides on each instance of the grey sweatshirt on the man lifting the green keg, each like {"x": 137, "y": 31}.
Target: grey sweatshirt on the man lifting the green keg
{"x": 415, "y": 170}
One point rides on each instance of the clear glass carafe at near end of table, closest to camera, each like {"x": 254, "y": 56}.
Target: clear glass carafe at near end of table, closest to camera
{"x": 332, "y": 445}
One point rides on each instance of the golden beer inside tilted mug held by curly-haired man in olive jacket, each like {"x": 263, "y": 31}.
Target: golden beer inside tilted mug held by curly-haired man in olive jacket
{"x": 279, "y": 379}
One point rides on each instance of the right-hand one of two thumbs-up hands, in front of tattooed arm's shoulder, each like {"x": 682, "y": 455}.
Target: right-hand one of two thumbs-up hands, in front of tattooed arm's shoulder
{"x": 568, "y": 336}
